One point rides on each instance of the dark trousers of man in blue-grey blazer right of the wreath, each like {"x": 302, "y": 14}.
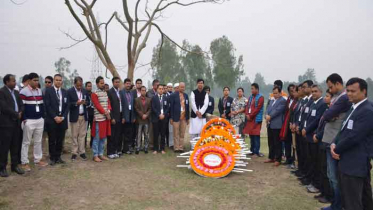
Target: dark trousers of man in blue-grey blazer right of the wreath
{"x": 274, "y": 144}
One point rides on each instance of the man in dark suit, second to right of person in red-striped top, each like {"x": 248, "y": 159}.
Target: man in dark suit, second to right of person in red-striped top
{"x": 128, "y": 117}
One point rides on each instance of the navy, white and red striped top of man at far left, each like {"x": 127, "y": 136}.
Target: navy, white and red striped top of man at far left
{"x": 33, "y": 101}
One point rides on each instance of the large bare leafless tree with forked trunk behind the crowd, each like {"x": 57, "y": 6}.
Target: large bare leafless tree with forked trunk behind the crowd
{"x": 138, "y": 28}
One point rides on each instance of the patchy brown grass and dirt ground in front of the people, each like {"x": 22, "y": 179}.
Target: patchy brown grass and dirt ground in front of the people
{"x": 152, "y": 182}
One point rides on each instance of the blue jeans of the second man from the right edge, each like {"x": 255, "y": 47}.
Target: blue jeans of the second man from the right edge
{"x": 332, "y": 165}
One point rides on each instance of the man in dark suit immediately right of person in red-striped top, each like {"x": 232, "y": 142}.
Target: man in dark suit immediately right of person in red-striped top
{"x": 116, "y": 120}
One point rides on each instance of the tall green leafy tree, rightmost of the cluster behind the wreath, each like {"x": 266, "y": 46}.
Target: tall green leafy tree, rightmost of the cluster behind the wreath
{"x": 227, "y": 69}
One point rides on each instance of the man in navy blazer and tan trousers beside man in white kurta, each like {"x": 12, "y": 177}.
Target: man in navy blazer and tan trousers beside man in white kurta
{"x": 179, "y": 103}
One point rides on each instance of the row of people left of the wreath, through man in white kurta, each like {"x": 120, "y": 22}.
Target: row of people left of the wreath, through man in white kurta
{"x": 129, "y": 117}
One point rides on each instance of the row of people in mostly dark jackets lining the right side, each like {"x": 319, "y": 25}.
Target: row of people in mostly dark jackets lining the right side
{"x": 329, "y": 136}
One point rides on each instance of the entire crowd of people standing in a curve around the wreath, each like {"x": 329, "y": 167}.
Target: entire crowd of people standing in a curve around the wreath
{"x": 329, "y": 137}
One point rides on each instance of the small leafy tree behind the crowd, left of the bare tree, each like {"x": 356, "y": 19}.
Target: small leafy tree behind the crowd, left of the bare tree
{"x": 63, "y": 67}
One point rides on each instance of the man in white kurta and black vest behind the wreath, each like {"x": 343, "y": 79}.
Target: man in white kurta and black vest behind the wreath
{"x": 199, "y": 100}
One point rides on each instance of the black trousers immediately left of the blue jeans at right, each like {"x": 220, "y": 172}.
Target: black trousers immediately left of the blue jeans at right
{"x": 325, "y": 188}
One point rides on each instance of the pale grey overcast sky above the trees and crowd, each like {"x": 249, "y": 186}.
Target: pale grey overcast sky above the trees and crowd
{"x": 278, "y": 38}
